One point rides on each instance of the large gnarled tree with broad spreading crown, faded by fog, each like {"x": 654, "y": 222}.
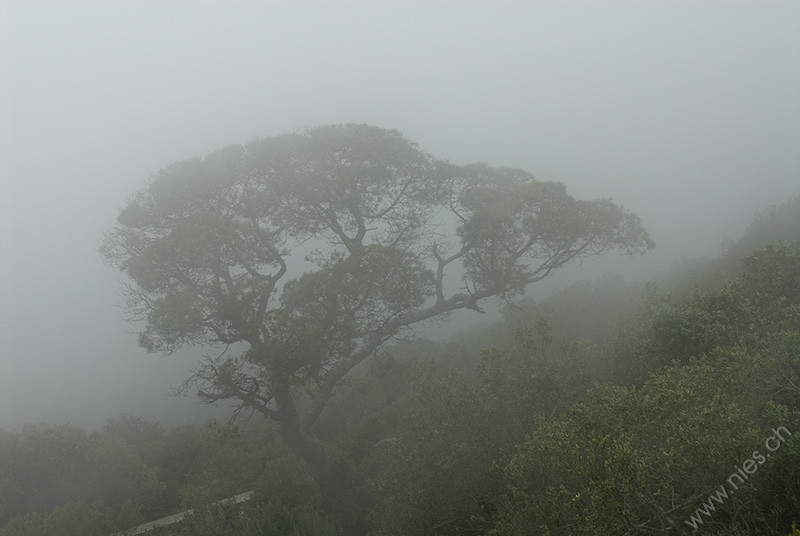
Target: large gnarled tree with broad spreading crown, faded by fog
{"x": 380, "y": 236}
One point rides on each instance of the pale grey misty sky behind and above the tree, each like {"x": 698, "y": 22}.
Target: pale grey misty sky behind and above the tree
{"x": 687, "y": 113}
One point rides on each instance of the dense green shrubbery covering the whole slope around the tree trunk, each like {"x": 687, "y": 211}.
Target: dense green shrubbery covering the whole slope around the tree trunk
{"x": 624, "y": 430}
